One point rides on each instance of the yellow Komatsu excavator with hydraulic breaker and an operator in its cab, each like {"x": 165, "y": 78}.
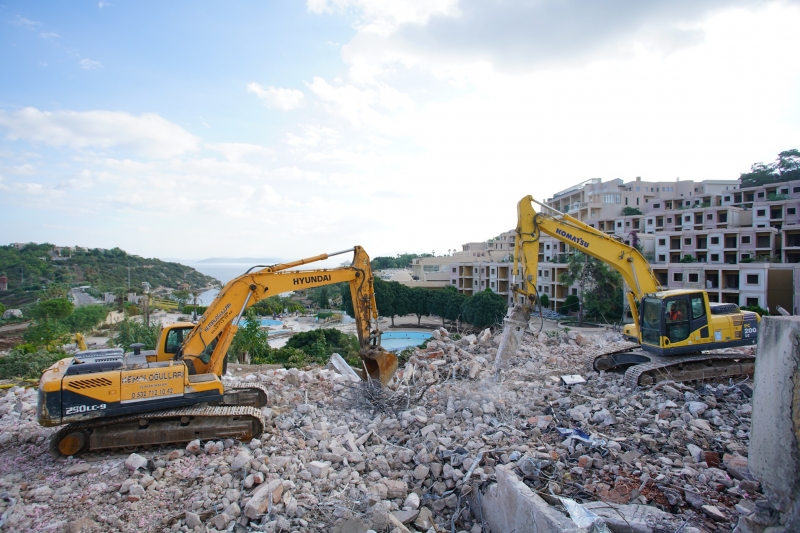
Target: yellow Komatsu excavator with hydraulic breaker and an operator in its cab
{"x": 671, "y": 328}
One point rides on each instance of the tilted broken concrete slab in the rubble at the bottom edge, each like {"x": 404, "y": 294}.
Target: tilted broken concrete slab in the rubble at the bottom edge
{"x": 509, "y": 505}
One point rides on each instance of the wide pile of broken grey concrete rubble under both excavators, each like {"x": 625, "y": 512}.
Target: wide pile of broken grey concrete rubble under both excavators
{"x": 349, "y": 457}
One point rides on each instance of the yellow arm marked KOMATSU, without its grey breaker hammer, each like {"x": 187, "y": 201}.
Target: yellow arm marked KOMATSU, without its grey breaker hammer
{"x": 625, "y": 259}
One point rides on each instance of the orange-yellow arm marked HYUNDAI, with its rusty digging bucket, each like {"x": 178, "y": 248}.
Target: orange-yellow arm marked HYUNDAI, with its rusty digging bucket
{"x": 206, "y": 345}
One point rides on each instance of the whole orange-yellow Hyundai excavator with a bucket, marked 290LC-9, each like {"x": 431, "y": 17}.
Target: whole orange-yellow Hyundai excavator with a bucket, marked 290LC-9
{"x": 175, "y": 393}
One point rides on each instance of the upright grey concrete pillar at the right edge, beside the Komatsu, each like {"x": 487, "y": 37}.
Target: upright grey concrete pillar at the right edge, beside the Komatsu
{"x": 774, "y": 454}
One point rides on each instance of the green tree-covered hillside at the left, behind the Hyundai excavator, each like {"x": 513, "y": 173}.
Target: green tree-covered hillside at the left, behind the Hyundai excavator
{"x": 34, "y": 265}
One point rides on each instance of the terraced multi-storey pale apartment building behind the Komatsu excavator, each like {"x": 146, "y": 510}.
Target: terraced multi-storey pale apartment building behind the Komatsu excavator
{"x": 742, "y": 245}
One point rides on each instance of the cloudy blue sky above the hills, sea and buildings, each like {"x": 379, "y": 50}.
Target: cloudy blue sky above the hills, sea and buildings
{"x": 285, "y": 129}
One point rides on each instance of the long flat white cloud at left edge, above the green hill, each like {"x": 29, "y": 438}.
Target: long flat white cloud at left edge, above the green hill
{"x": 147, "y": 134}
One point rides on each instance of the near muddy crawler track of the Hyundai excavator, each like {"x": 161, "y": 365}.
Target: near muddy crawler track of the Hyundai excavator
{"x": 159, "y": 427}
